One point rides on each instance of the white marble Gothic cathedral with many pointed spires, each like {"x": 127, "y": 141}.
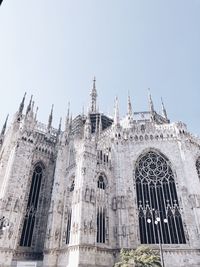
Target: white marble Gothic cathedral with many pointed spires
{"x": 74, "y": 197}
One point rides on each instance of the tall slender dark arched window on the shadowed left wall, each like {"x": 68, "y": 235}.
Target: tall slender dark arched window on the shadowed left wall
{"x": 32, "y": 205}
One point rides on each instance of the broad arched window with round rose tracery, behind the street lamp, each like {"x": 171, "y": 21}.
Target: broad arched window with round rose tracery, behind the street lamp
{"x": 157, "y": 198}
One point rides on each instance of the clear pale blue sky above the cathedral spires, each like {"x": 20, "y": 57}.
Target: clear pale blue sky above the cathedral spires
{"x": 52, "y": 49}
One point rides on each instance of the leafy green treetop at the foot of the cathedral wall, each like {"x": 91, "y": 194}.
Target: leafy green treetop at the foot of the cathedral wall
{"x": 143, "y": 256}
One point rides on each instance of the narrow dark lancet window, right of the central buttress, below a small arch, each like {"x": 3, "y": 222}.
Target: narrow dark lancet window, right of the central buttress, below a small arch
{"x": 101, "y": 233}
